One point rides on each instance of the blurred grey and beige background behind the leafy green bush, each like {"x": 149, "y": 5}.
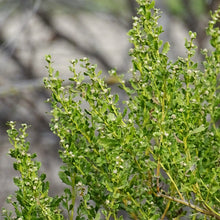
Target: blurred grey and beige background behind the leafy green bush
{"x": 68, "y": 29}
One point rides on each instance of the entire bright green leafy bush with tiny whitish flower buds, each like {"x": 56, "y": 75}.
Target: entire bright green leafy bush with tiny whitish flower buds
{"x": 154, "y": 158}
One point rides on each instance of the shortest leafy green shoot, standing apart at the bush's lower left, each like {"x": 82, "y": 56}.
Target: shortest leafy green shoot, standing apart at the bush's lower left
{"x": 31, "y": 199}
